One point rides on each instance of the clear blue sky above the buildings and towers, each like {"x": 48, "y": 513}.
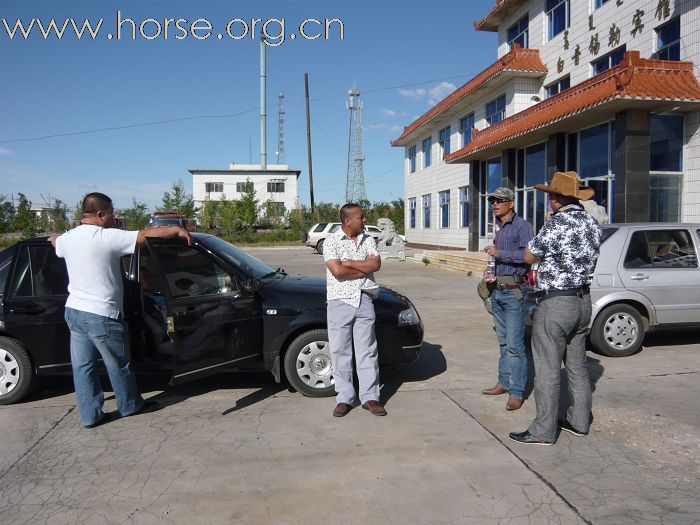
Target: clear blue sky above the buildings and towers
{"x": 404, "y": 56}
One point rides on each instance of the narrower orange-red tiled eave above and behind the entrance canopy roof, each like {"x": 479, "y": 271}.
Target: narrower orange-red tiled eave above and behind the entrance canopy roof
{"x": 517, "y": 60}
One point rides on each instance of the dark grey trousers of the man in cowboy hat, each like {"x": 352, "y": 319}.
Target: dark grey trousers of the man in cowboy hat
{"x": 559, "y": 325}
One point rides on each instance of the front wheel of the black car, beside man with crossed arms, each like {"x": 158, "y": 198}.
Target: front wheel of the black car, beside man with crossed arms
{"x": 307, "y": 364}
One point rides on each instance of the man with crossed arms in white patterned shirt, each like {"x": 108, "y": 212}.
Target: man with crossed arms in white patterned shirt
{"x": 351, "y": 258}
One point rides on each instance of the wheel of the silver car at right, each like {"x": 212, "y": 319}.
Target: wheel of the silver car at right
{"x": 618, "y": 331}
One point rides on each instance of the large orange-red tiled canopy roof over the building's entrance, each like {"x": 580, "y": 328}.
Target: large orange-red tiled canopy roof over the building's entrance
{"x": 634, "y": 78}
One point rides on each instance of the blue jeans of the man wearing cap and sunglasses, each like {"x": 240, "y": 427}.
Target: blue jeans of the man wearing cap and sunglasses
{"x": 509, "y": 318}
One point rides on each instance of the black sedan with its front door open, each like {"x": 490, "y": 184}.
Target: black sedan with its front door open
{"x": 192, "y": 311}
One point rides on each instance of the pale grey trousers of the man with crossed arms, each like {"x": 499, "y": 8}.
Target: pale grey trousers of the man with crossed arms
{"x": 350, "y": 327}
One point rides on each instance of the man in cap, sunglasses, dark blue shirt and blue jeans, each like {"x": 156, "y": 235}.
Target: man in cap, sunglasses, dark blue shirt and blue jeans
{"x": 508, "y": 298}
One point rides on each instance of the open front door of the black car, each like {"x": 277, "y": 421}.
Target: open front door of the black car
{"x": 211, "y": 322}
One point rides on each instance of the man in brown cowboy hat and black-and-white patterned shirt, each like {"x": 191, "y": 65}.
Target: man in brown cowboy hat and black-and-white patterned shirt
{"x": 567, "y": 248}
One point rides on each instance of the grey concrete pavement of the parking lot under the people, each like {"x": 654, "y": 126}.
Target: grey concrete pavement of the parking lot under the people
{"x": 239, "y": 448}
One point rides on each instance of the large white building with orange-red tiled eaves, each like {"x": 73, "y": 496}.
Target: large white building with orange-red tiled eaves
{"x": 606, "y": 88}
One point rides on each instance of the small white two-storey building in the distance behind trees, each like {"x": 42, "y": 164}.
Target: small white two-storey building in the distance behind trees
{"x": 277, "y": 184}
